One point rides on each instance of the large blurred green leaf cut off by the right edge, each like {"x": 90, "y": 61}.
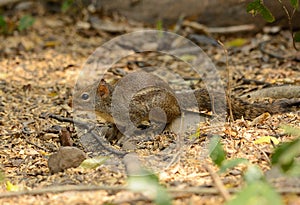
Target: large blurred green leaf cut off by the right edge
{"x": 285, "y": 154}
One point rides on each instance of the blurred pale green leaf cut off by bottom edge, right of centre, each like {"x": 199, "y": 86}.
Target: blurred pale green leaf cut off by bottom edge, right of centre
{"x": 259, "y": 192}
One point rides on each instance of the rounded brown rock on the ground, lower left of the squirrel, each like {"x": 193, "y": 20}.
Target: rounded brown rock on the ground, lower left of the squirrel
{"x": 65, "y": 158}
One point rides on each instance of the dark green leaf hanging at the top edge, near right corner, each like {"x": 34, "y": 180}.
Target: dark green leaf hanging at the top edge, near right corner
{"x": 256, "y": 7}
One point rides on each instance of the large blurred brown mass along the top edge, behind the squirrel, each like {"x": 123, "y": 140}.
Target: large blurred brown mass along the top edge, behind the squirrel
{"x": 208, "y": 12}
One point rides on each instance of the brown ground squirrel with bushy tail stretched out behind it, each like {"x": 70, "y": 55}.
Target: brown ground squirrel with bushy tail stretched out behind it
{"x": 141, "y": 92}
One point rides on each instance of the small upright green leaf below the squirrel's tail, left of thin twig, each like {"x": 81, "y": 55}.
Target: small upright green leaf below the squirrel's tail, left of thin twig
{"x": 217, "y": 153}
